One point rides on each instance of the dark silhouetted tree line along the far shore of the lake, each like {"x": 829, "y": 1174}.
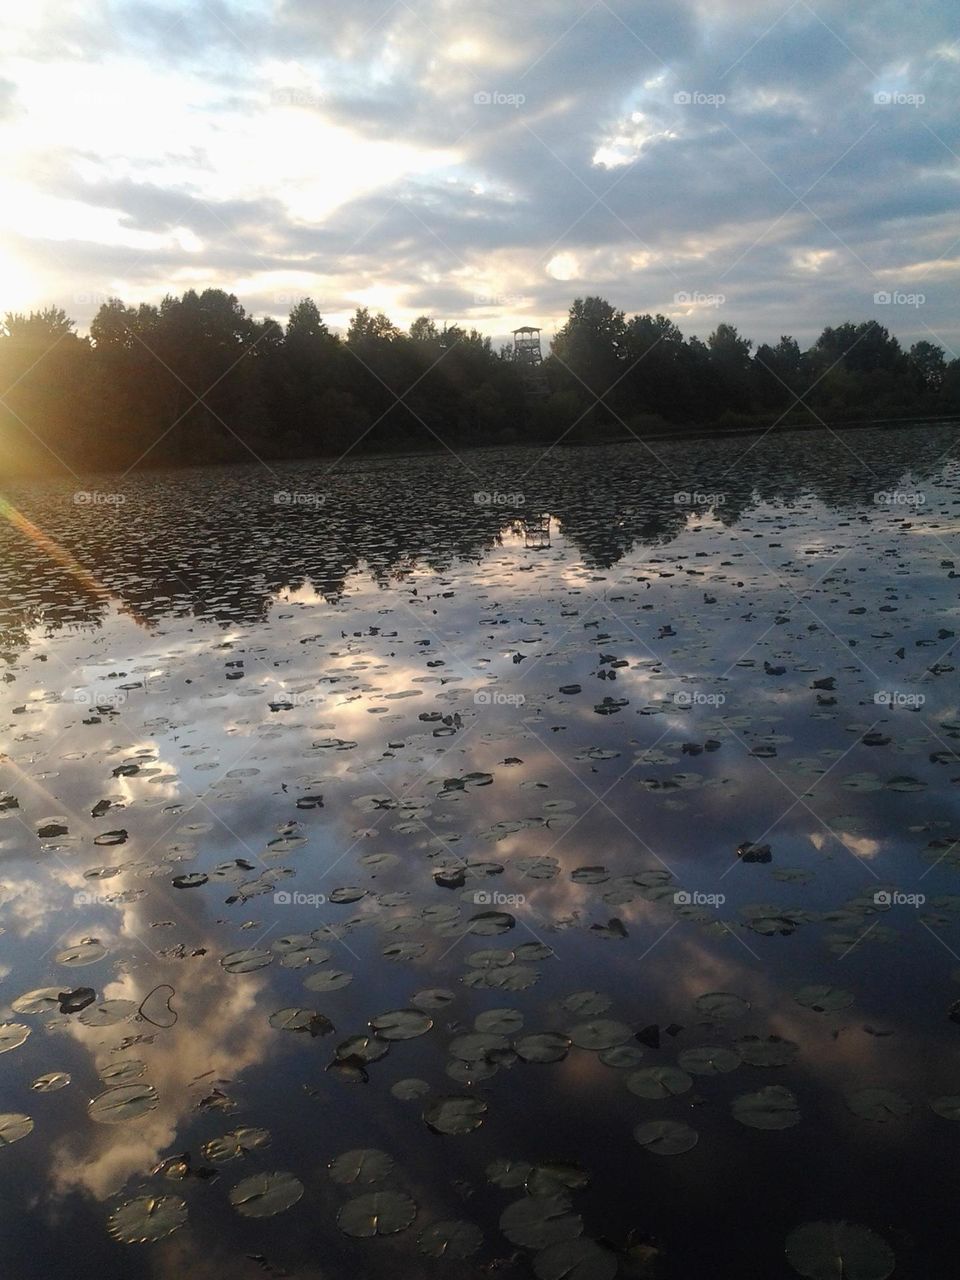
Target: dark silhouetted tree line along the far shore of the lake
{"x": 198, "y": 380}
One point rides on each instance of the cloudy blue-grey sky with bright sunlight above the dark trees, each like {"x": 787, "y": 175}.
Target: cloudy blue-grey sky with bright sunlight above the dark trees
{"x": 775, "y": 166}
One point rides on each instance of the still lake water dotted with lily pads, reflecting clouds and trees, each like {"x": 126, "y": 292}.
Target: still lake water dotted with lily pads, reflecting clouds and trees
{"x": 510, "y": 865}
